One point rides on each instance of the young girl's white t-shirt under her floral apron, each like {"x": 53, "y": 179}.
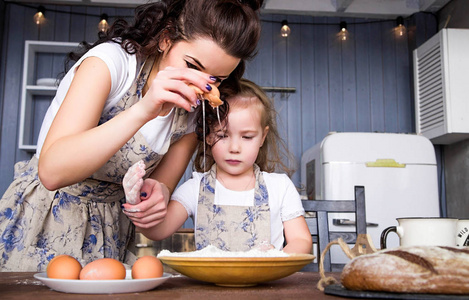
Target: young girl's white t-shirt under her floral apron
{"x": 284, "y": 200}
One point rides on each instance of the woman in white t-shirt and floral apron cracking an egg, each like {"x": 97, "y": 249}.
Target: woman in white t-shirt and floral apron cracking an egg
{"x": 126, "y": 99}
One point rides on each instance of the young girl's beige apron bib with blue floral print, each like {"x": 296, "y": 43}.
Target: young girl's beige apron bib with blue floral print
{"x": 232, "y": 228}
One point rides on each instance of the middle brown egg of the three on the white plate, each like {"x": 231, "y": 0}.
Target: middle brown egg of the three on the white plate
{"x": 103, "y": 269}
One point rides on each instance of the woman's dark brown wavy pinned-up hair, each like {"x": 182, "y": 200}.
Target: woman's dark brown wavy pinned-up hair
{"x": 233, "y": 24}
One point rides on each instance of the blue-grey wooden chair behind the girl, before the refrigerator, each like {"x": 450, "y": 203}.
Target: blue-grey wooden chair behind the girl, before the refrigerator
{"x": 320, "y": 229}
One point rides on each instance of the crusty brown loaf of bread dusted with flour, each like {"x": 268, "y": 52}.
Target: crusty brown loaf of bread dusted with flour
{"x": 417, "y": 269}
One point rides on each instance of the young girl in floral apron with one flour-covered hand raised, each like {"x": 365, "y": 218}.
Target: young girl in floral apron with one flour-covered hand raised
{"x": 236, "y": 204}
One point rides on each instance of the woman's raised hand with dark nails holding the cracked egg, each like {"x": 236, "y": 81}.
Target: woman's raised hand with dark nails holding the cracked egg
{"x": 170, "y": 88}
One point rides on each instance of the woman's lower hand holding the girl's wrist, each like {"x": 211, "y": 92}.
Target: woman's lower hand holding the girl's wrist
{"x": 153, "y": 208}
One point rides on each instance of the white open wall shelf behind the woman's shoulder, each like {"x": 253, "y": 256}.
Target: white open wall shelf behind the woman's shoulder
{"x": 43, "y": 61}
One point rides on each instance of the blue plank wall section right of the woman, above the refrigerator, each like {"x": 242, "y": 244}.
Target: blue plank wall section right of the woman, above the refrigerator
{"x": 363, "y": 84}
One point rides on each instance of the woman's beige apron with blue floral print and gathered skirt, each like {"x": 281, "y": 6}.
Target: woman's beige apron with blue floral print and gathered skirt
{"x": 83, "y": 220}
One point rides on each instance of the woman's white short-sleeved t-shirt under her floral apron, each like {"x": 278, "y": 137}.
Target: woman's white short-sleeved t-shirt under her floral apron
{"x": 123, "y": 69}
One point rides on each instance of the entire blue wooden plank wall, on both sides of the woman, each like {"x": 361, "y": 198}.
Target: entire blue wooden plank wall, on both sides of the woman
{"x": 363, "y": 84}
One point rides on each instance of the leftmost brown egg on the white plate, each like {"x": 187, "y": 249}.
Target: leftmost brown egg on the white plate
{"x": 63, "y": 267}
